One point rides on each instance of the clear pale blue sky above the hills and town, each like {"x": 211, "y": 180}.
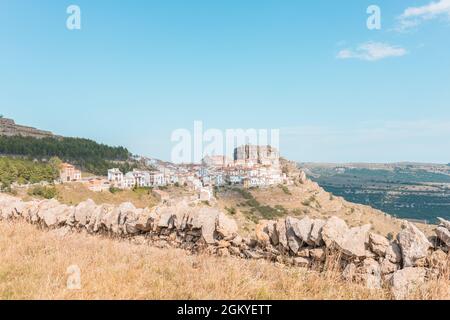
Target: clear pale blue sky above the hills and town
{"x": 137, "y": 70}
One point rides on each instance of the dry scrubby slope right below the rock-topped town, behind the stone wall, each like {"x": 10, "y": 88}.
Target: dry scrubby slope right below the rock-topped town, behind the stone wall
{"x": 306, "y": 199}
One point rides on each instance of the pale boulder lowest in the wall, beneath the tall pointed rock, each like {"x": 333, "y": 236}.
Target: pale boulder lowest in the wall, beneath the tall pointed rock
{"x": 404, "y": 281}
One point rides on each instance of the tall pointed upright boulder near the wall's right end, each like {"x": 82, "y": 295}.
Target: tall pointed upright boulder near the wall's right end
{"x": 413, "y": 243}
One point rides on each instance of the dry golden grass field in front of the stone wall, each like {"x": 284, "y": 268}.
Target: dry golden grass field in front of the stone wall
{"x": 34, "y": 265}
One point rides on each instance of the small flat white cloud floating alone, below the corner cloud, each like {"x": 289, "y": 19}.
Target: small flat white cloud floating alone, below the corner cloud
{"x": 372, "y": 51}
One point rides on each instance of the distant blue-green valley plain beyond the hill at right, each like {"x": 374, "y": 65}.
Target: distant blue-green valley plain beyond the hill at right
{"x": 413, "y": 191}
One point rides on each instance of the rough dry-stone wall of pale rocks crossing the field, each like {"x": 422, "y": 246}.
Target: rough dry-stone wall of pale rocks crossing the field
{"x": 363, "y": 257}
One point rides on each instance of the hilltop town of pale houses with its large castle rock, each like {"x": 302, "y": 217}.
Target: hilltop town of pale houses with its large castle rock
{"x": 252, "y": 166}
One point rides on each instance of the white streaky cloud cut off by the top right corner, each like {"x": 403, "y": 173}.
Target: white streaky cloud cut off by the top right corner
{"x": 414, "y": 16}
